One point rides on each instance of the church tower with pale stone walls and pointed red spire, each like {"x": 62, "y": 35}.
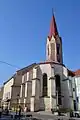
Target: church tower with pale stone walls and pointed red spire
{"x": 54, "y": 44}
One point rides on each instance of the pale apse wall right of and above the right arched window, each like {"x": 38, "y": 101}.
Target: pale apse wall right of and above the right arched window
{"x": 65, "y": 86}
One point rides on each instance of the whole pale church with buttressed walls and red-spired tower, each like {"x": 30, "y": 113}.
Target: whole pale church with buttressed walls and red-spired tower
{"x": 43, "y": 86}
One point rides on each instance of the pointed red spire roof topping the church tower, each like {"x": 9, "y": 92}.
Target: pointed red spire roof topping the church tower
{"x": 53, "y": 28}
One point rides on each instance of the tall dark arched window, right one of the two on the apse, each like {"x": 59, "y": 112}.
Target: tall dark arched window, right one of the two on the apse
{"x": 58, "y": 89}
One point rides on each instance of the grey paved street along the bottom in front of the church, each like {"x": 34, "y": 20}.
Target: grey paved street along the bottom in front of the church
{"x": 38, "y": 116}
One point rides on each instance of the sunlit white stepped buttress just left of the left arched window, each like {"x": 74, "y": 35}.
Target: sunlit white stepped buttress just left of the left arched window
{"x": 35, "y": 104}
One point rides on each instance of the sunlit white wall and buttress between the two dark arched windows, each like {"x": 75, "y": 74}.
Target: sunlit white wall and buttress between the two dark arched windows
{"x": 49, "y": 102}
